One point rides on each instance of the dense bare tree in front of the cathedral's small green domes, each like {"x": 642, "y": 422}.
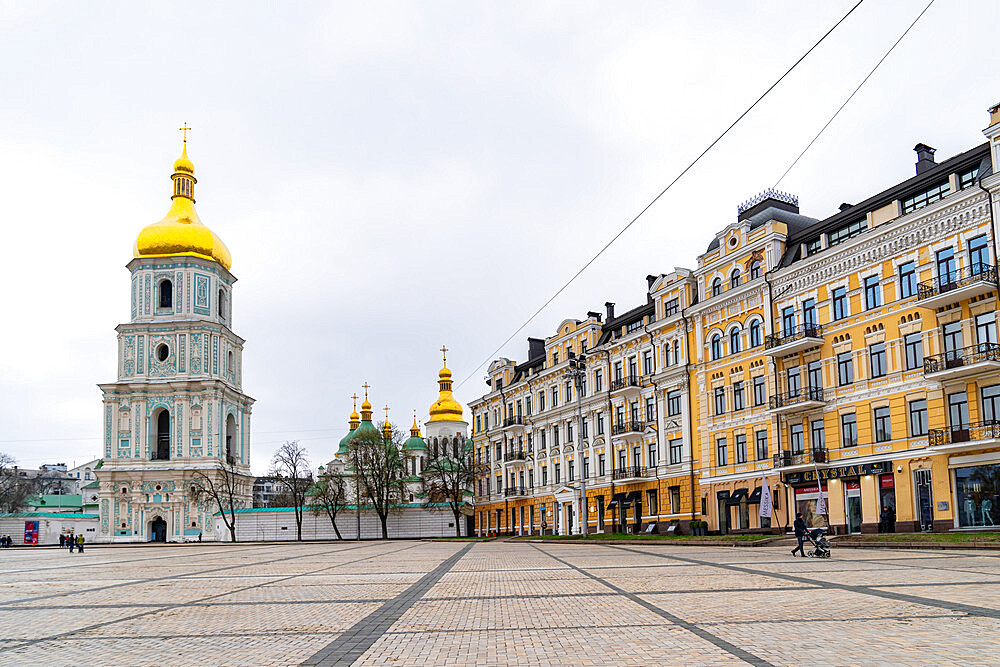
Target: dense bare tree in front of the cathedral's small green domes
{"x": 379, "y": 466}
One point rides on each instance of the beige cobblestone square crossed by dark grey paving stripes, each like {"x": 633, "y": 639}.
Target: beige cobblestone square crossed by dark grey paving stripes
{"x": 421, "y": 603}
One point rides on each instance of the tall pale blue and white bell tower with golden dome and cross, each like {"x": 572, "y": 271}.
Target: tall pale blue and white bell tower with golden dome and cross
{"x": 177, "y": 409}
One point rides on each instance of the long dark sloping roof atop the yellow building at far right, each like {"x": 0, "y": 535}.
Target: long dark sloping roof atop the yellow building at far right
{"x": 926, "y": 179}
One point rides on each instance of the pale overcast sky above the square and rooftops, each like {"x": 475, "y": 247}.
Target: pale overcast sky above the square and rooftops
{"x": 394, "y": 177}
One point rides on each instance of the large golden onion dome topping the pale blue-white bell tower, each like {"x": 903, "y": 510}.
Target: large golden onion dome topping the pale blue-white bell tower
{"x": 181, "y": 232}
